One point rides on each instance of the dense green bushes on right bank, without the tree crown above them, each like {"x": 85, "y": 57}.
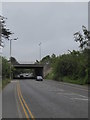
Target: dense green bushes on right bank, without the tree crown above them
{"x": 72, "y": 67}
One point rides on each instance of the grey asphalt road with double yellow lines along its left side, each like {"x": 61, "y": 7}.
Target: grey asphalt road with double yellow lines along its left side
{"x": 44, "y": 99}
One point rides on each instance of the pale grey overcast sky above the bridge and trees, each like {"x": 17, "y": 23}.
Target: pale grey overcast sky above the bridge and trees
{"x": 52, "y": 24}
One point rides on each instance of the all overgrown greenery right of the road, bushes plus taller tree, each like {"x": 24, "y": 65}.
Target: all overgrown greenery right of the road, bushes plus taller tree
{"x": 74, "y": 66}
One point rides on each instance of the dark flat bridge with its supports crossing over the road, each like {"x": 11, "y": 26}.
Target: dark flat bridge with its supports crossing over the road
{"x": 38, "y": 68}
